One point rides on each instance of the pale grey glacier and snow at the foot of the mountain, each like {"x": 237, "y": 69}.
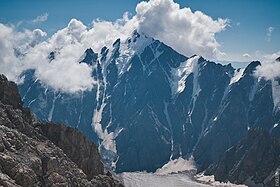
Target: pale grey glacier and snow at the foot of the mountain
{"x": 176, "y": 173}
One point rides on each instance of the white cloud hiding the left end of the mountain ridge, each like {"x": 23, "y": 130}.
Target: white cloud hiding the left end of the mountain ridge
{"x": 64, "y": 73}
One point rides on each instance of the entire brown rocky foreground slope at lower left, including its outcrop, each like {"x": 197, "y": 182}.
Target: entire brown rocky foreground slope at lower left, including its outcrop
{"x": 34, "y": 154}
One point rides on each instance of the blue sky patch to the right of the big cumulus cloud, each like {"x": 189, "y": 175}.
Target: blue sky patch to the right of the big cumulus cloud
{"x": 254, "y": 16}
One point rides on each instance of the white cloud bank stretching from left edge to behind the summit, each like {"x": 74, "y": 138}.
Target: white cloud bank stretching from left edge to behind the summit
{"x": 186, "y": 31}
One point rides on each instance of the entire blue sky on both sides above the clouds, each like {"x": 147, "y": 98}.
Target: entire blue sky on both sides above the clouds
{"x": 247, "y": 33}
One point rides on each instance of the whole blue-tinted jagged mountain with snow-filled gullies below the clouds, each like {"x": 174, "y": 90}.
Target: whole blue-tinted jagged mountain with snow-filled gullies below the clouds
{"x": 151, "y": 104}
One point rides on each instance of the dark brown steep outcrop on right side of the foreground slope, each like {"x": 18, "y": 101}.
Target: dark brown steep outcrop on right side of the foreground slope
{"x": 76, "y": 147}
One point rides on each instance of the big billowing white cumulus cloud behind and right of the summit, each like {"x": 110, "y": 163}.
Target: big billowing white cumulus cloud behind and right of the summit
{"x": 186, "y": 31}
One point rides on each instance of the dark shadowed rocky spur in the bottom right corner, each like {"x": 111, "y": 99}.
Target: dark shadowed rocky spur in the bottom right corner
{"x": 255, "y": 158}
